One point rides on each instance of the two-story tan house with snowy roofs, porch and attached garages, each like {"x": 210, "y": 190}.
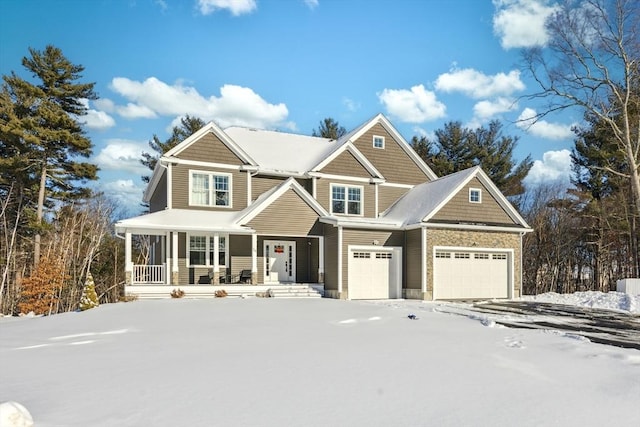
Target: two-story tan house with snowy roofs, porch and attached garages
{"x": 362, "y": 217}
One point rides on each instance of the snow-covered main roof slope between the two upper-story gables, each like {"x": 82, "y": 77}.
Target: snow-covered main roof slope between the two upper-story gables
{"x": 281, "y": 151}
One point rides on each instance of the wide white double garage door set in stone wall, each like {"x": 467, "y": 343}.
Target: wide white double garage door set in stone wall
{"x": 460, "y": 274}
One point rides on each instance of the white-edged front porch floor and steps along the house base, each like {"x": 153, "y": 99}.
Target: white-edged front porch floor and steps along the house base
{"x": 208, "y": 291}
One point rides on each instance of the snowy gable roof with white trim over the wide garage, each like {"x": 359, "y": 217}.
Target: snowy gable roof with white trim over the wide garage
{"x": 423, "y": 201}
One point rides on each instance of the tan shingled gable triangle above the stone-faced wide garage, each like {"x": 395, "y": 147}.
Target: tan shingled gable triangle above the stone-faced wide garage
{"x": 460, "y": 209}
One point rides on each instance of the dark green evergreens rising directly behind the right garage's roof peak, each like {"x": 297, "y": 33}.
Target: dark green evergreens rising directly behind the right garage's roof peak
{"x": 457, "y": 148}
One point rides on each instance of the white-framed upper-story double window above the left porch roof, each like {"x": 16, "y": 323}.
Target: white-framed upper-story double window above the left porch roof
{"x": 209, "y": 188}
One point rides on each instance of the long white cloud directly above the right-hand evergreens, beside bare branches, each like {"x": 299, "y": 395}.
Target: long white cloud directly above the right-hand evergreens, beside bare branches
{"x": 476, "y": 84}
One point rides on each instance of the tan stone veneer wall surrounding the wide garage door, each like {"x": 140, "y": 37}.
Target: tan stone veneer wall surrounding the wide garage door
{"x": 472, "y": 240}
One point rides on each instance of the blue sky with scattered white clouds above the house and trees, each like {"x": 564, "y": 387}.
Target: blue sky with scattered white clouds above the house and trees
{"x": 287, "y": 64}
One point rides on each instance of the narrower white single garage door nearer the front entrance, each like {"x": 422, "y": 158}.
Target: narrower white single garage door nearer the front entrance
{"x": 374, "y": 273}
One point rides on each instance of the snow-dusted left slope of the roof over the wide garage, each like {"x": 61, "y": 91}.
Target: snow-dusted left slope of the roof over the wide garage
{"x": 422, "y": 199}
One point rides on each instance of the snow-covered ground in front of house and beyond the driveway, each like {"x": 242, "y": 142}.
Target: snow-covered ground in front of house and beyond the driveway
{"x": 269, "y": 362}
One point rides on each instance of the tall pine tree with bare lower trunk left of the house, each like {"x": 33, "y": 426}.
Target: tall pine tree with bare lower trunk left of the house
{"x": 41, "y": 134}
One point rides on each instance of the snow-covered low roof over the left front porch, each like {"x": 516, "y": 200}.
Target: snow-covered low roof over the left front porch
{"x": 183, "y": 220}
